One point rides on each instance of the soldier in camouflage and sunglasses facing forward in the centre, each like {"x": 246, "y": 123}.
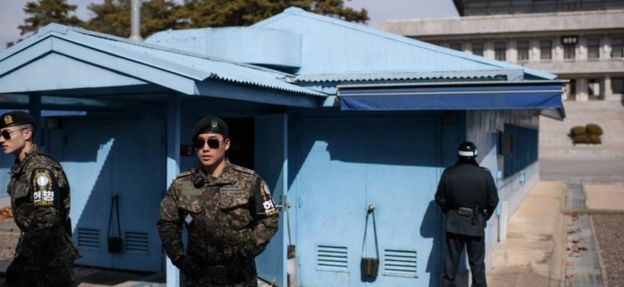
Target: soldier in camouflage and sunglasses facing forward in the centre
{"x": 227, "y": 210}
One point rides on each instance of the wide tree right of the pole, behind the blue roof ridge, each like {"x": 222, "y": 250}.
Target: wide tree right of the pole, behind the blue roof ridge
{"x": 217, "y": 13}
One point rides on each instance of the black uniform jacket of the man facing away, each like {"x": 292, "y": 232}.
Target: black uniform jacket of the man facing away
{"x": 468, "y": 196}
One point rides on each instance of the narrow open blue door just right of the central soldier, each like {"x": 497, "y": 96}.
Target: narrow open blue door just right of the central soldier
{"x": 271, "y": 162}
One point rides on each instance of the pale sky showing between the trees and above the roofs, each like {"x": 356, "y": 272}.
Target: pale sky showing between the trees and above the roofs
{"x": 12, "y": 14}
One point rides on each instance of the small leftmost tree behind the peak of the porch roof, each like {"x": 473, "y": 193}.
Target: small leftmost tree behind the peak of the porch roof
{"x": 44, "y": 12}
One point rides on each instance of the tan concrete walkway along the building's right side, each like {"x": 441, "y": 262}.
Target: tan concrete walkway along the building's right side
{"x": 532, "y": 254}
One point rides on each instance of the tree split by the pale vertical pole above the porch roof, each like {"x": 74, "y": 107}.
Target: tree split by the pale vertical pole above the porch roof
{"x": 113, "y": 17}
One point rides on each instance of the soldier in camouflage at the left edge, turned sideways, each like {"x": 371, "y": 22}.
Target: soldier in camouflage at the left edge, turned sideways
{"x": 40, "y": 201}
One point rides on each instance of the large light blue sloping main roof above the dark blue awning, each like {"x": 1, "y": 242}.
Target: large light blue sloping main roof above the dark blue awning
{"x": 334, "y": 47}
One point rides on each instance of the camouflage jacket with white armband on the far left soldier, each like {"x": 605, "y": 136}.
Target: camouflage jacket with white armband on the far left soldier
{"x": 40, "y": 201}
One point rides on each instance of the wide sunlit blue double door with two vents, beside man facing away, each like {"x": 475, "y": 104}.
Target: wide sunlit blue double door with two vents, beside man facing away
{"x": 347, "y": 164}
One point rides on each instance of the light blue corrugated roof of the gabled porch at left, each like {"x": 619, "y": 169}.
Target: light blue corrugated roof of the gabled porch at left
{"x": 186, "y": 64}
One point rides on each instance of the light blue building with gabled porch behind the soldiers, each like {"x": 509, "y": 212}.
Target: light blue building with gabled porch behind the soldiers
{"x": 336, "y": 116}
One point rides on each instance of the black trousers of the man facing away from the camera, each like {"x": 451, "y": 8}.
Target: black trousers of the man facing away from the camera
{"x": 476, "y": 255}
